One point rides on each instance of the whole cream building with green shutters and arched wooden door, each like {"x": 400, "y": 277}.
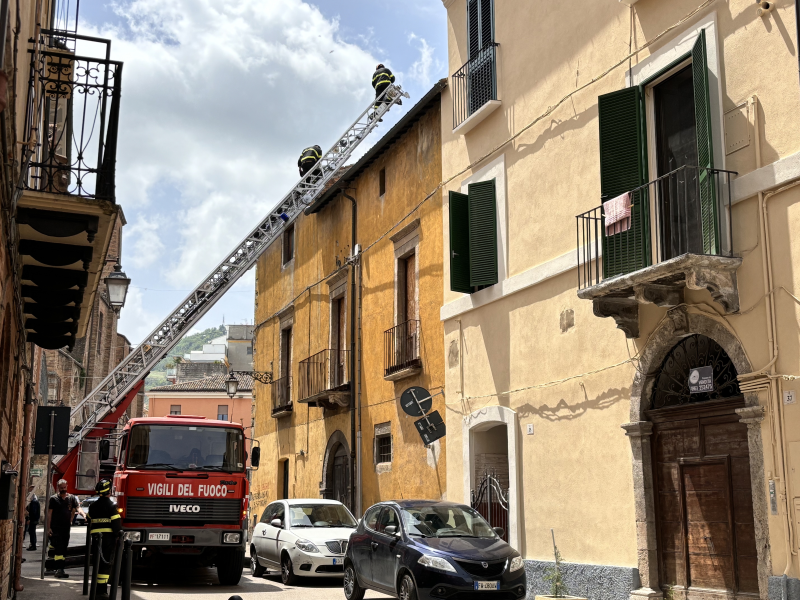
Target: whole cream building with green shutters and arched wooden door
{"x": 620, "y": 311}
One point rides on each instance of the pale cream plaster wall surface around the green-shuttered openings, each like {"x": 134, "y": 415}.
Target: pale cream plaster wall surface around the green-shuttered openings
{"x": 506, "y": 346}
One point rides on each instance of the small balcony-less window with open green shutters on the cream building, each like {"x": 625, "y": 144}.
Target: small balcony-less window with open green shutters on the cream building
{"x": 473, "y": 238}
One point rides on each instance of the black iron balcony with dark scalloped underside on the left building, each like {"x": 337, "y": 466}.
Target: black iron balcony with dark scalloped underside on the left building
{"x": 67, "y": 211}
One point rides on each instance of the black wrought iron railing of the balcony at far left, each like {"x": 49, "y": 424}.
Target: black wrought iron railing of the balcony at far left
{"x": 73, "y": 117}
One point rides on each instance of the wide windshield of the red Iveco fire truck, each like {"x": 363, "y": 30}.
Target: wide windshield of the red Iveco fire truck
{"x": 184, "y": 447}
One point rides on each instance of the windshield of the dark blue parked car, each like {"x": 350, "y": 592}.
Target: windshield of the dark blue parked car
{"x": 445, "y": 521}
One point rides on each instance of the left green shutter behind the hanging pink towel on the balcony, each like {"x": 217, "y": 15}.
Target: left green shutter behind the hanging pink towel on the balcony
{"x": 623, "y": 167}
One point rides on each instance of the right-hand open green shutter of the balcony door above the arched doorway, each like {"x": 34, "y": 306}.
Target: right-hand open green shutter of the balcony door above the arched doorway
{"x": 705, "y": 151}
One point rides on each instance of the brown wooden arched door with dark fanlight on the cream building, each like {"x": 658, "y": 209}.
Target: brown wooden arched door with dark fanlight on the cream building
{"x": 701, "y": 473}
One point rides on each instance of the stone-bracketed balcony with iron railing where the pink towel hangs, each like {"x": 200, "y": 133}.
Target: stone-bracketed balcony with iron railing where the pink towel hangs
{"x": 680, "y": 237}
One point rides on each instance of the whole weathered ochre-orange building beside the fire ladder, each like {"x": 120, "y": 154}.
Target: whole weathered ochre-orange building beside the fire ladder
{"x": 331, "y": 426}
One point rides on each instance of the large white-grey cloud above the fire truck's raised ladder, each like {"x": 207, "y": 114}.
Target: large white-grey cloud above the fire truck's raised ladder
{"x": 219, "y": 98}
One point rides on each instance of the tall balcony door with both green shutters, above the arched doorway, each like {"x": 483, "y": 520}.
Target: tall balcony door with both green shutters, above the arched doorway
{"x": 647, "y": 132}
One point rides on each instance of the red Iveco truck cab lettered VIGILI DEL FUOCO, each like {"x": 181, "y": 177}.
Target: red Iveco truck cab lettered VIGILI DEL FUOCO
{"x": 182, "y": 491}
